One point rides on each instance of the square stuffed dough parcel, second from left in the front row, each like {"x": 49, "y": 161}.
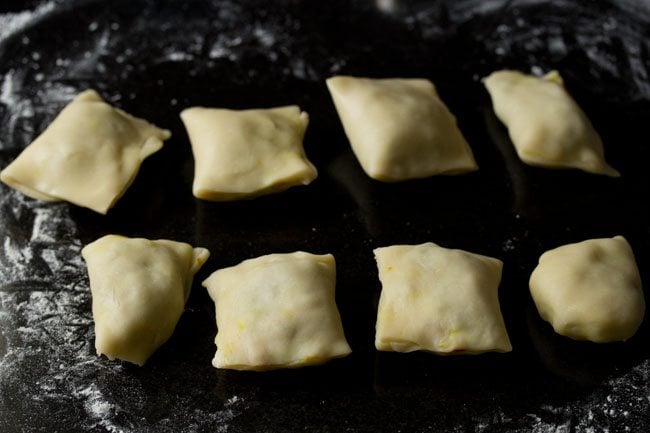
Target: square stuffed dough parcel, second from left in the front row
{"x": 277, "y": 311}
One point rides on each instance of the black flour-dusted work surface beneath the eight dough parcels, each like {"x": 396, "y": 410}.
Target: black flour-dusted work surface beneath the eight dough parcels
{"x": 154, "y": 58}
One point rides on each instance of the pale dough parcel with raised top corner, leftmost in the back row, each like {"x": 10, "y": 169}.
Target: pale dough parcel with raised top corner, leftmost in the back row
{"x": 89, "y": 155}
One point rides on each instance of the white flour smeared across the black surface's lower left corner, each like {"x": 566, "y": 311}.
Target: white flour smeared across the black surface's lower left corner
{"x": 45, "y": 310}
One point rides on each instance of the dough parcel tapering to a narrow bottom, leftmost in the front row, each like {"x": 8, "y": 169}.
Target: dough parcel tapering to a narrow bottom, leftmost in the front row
{"x": 139, "y": 289}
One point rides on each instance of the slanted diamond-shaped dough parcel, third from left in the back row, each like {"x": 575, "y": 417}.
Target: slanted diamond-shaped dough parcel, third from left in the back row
{"x": 399, "y": 128}
